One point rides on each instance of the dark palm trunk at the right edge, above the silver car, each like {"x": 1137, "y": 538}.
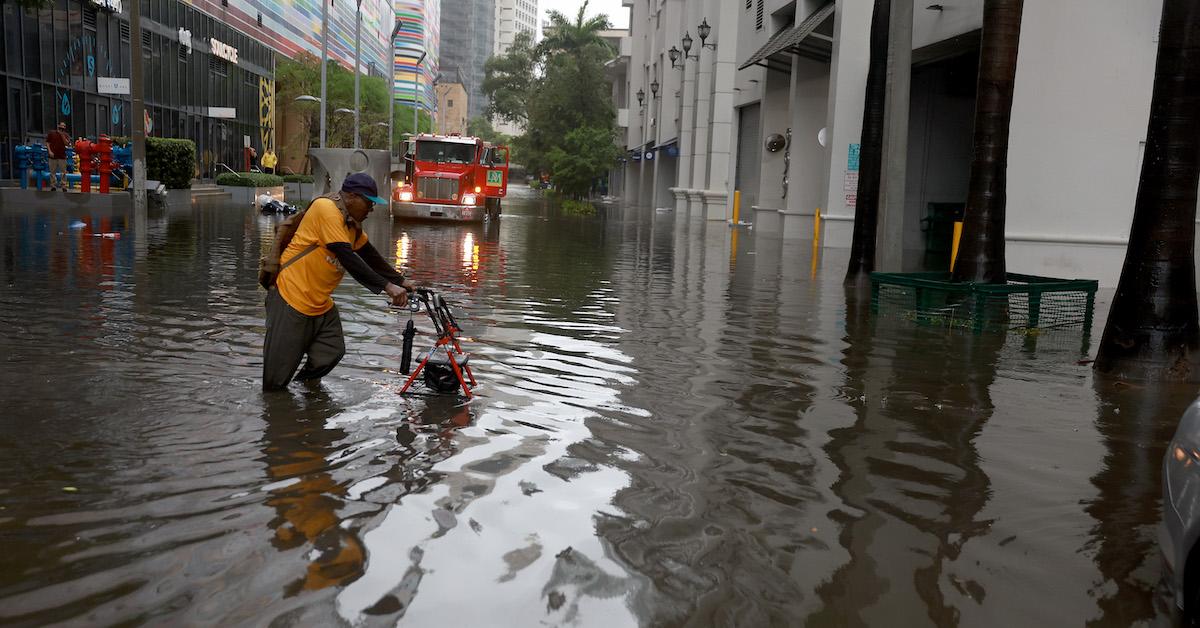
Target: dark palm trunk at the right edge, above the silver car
{"x": 1153, "y": 331}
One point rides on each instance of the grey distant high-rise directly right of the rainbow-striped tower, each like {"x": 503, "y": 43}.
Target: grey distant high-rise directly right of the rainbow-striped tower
{"x": 469, "y": 39}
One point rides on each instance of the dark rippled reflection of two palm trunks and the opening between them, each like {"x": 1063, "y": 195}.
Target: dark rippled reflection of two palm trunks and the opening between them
{"x": 910, "y": 473}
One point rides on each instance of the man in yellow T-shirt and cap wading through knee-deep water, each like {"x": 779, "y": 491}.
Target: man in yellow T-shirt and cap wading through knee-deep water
{"x": 302, "y": 318}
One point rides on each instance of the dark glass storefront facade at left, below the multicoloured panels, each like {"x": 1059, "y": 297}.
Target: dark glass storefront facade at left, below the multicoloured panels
{"x": 53, "y": 62}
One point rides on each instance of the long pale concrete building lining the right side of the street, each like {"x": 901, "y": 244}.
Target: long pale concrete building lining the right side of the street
{"x": 776, "y": 110}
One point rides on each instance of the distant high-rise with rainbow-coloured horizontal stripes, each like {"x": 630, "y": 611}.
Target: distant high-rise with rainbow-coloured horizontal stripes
{"x": 418, "y": 34}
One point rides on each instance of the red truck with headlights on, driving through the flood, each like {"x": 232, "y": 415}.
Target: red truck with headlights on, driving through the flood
{"x": 452, "y": 178}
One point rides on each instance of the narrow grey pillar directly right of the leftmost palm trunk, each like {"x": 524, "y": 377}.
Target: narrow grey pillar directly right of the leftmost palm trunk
{"x": 890, "y": 248}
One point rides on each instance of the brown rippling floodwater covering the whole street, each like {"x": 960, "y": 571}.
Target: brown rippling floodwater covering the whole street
{"x": 673, "y": 428}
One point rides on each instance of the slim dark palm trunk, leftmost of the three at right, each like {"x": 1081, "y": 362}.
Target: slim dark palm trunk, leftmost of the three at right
{"x": 871, "y": 157}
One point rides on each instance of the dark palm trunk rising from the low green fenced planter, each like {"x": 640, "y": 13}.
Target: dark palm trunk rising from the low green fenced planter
{"x": 982, "y": 249}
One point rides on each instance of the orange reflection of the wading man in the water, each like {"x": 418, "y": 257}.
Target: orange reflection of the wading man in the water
{"x": 297, "y": 446}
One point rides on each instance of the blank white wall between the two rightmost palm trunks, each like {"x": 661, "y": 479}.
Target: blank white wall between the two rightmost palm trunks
{"x": 1081, "y": 110}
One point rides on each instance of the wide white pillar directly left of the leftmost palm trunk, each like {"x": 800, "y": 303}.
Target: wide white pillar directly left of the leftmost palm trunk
{"x": 844, "y": 119}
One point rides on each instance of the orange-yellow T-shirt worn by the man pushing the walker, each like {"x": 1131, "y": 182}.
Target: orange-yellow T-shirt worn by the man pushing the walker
{"x": 308, "y": 285}
